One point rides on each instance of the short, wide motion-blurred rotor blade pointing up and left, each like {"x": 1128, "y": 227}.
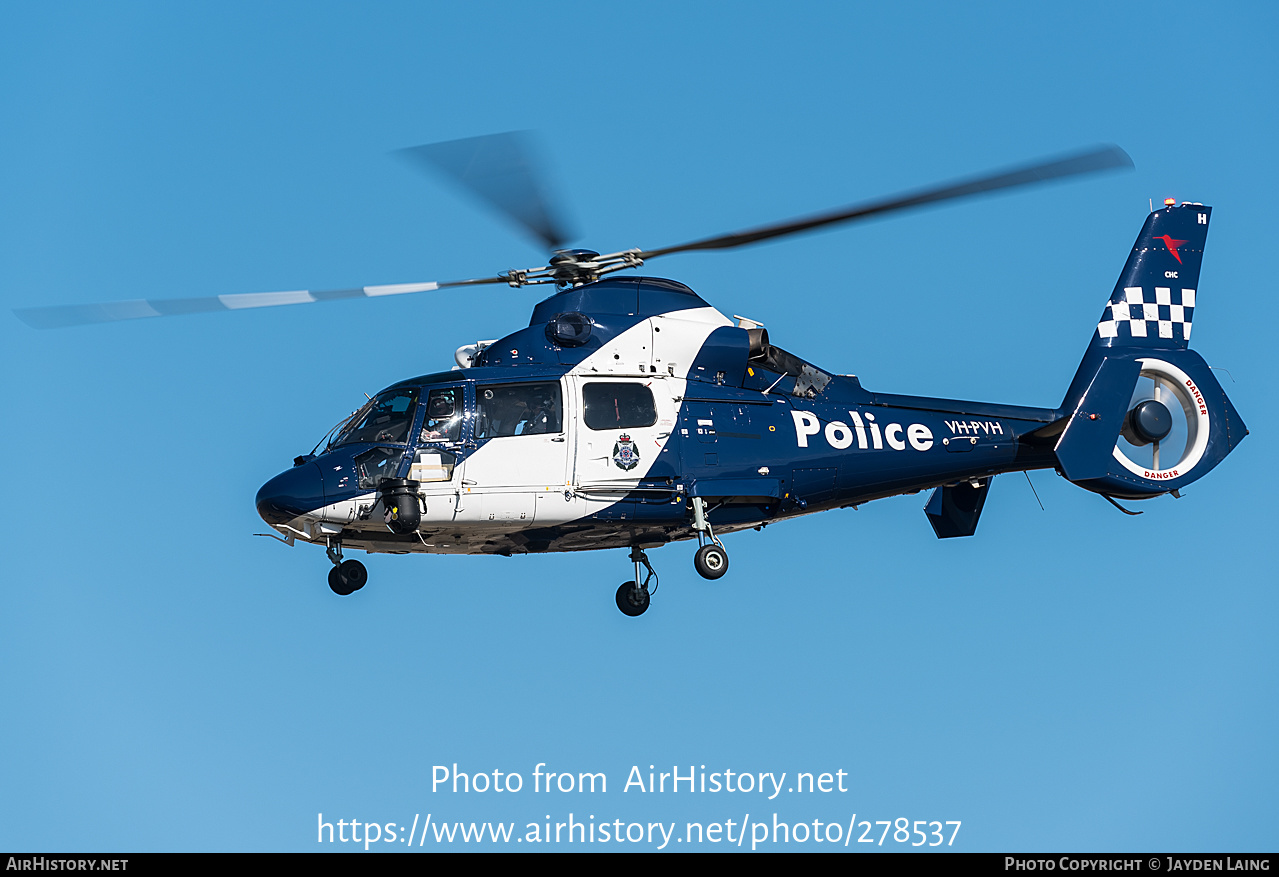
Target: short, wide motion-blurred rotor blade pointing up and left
{"x": 502, "y": 171}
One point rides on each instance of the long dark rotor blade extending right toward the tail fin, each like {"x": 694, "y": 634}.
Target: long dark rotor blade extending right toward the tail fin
{"x": 1085, "y": 163}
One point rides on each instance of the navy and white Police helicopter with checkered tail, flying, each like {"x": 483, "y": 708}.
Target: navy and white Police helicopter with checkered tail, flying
{"x": 630, "y": 414}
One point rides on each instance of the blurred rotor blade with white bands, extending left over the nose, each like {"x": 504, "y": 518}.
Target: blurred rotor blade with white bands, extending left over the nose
{"x": 140, "y": 309}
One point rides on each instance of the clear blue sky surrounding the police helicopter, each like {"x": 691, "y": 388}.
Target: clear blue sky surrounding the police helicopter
{"x": 1069, "y": 679}
